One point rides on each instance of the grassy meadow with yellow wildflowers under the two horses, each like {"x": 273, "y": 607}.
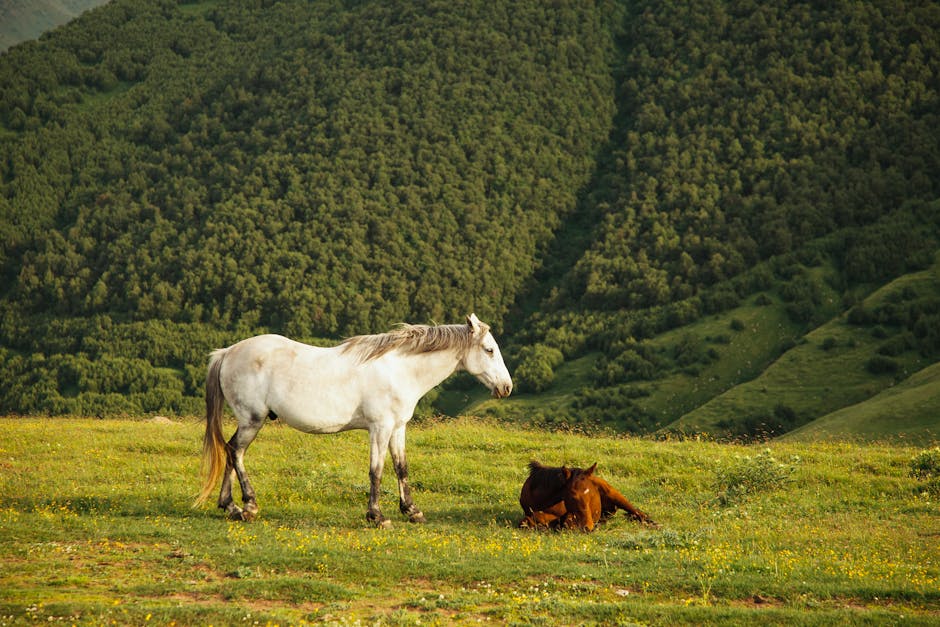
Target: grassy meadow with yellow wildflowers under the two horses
{"x": 96, "y": 528}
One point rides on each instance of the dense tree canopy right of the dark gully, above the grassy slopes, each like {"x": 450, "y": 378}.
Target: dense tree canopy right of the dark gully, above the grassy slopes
{"x": 751, "y": 129}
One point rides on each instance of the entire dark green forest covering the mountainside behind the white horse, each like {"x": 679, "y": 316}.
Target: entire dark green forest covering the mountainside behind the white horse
{"x": 589, "y": 178}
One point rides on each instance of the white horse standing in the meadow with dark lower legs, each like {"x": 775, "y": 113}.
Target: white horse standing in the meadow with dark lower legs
{"x": 370, "y": 382}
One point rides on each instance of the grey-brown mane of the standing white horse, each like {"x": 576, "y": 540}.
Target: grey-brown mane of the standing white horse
{"x": 413, "y": 339}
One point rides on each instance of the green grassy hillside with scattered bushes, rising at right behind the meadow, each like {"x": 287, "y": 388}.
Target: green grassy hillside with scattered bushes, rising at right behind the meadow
{"x": 840, "y": 364}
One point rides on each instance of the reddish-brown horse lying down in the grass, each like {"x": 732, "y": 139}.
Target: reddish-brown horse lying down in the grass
{"x": 571, "y": 498}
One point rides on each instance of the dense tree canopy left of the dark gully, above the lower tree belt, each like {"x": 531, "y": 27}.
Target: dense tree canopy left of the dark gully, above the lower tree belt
{"x": 307, "y": 167}
